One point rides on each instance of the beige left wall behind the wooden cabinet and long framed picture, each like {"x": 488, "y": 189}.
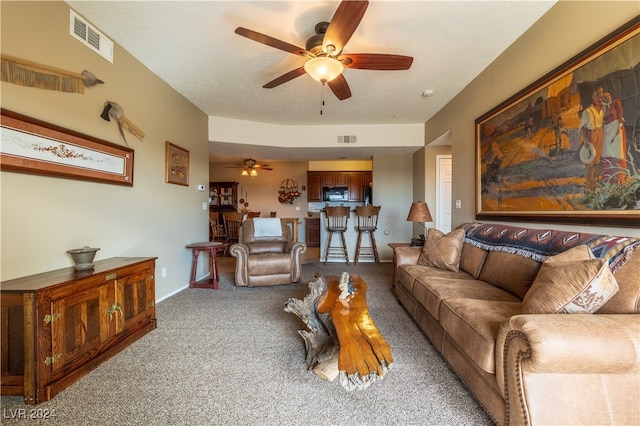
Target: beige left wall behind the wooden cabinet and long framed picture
{"x": 43, "y": 217}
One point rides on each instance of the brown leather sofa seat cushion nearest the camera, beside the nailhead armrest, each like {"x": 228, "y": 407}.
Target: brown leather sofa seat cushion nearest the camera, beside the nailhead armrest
{"x": 473, "y": 324}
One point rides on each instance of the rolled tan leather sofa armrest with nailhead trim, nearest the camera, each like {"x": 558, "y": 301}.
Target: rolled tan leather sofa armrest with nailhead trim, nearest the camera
{"x": 569, "y": 368}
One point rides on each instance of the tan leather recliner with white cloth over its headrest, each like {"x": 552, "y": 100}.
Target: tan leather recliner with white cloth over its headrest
{"x": 263, "y": 258}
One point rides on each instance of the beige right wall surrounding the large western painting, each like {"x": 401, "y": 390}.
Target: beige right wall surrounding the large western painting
{"x": 567, "y": 29}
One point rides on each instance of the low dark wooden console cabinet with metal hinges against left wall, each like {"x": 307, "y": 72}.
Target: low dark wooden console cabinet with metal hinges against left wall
{"x": 59, "y": 325}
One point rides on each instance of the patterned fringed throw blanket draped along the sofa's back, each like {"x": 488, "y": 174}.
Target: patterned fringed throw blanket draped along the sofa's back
{"x": 538, "y": 244}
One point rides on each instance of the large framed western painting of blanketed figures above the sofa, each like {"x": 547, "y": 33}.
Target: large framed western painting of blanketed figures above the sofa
{"x": 567, "y": 148}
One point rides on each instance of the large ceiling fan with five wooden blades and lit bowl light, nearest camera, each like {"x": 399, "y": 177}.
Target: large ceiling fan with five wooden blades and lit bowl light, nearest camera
{"x": 325, "y": 60}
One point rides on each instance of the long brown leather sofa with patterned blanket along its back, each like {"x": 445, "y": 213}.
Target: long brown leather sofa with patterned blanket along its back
{"x": 531, "y": 368}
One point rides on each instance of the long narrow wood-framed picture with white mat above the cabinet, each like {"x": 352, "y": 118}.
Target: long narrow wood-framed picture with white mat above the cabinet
{"x": 36, "y": 147}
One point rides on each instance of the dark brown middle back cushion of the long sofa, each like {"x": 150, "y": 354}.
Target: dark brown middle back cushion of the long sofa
{"x": 509, "y": 271}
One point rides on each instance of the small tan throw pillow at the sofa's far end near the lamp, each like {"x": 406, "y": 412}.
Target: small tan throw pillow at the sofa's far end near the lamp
{"x": 442, "y": 251}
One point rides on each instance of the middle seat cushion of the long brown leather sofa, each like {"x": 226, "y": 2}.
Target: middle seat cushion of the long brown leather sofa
{"x": 431, "y": 290}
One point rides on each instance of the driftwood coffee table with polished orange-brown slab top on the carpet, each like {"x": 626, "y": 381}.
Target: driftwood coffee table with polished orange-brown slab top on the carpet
{"x": 342, "y": 339}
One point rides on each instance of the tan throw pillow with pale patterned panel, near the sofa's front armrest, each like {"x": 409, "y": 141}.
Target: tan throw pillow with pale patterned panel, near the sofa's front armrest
{"x": 570, "y": 282}
